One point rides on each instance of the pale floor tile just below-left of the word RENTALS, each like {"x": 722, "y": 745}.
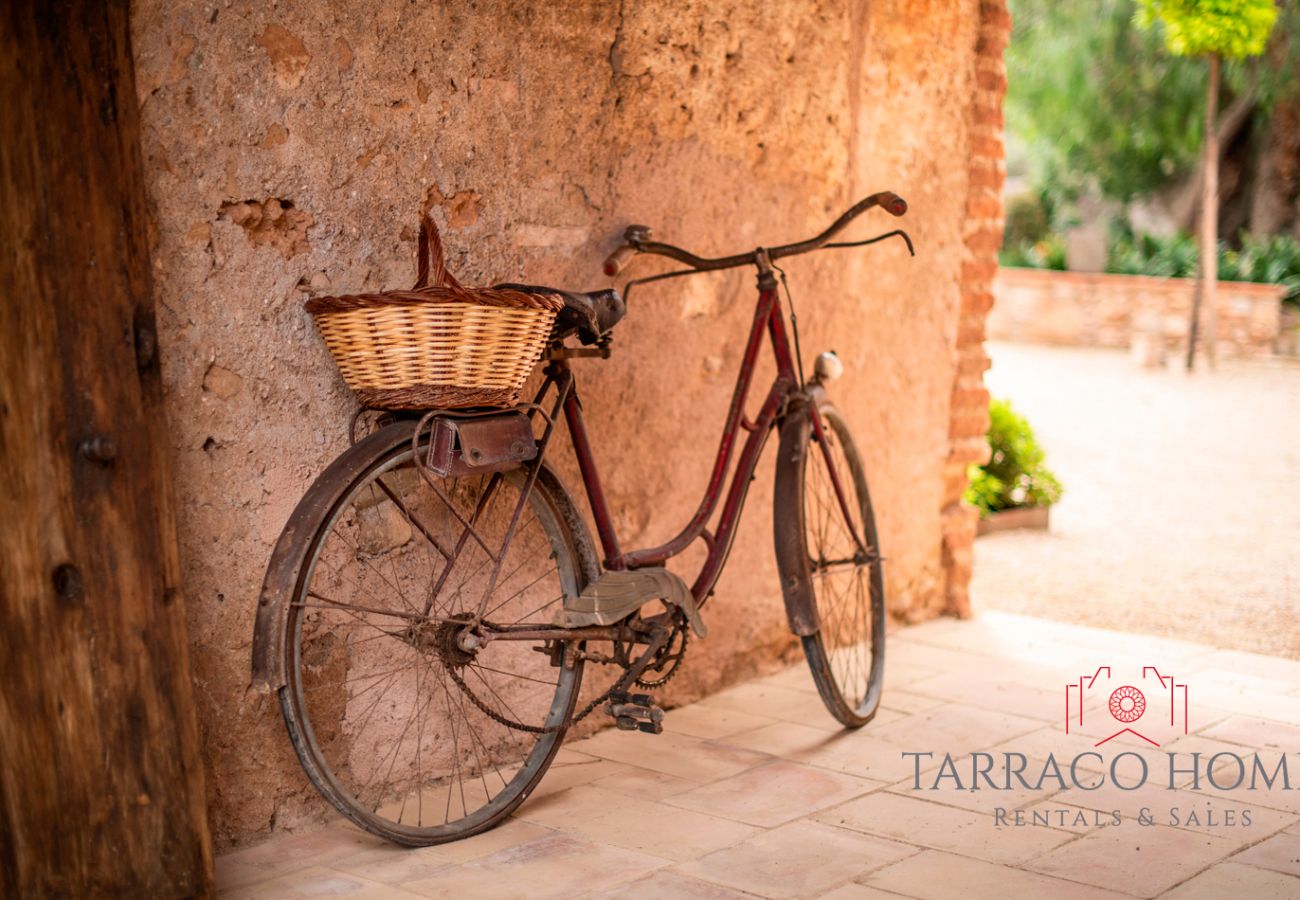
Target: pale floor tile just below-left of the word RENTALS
{"x": 942, "y": 828}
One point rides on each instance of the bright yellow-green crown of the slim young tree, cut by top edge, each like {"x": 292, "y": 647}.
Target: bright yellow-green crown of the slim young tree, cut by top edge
{"x": 1233, "y": 29}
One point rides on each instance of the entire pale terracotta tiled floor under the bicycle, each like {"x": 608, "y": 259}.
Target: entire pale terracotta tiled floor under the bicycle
{"x": 755, "y": 793}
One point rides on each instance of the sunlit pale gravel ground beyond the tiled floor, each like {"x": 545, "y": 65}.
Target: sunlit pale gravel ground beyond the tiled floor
{"x": 1182, "y": 505}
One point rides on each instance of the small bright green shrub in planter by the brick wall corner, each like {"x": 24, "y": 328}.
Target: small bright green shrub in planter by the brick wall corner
{"x": 1015, "y": 475}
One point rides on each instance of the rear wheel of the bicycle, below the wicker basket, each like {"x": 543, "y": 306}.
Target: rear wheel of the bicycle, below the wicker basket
{"x": 405, "y": 732}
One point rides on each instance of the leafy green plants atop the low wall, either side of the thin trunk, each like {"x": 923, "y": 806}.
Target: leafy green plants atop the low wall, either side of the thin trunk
{"x": 1268, "y": 259}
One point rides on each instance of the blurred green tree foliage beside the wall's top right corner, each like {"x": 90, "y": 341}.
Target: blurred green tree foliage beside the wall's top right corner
{"x": 1098, "y": 105}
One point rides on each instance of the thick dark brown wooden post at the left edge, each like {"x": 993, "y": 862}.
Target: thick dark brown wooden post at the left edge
{"x": 101, "y": 776}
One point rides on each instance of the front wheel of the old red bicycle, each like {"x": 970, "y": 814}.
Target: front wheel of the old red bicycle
{"x": 833, "y": 549}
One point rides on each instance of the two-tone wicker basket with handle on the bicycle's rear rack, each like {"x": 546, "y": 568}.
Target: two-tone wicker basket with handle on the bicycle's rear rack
{"x": 439, "y": 345}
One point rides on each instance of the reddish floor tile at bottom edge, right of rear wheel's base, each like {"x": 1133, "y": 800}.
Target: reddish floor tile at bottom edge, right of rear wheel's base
{"x": 560, "y": 867}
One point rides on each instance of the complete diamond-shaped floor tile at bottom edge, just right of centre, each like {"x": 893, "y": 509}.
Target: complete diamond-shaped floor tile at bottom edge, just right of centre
{"x": 796, "y": 860}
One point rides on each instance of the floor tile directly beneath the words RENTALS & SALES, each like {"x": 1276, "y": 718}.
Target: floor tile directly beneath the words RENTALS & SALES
{"x": 1139, "y": 860}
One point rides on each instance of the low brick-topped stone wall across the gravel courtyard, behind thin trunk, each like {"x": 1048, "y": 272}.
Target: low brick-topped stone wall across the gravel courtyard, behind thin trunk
{"x": 1108, "y": 310}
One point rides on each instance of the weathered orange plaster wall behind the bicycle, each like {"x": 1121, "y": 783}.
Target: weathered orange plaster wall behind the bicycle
{"x": 293, "y": 148}
